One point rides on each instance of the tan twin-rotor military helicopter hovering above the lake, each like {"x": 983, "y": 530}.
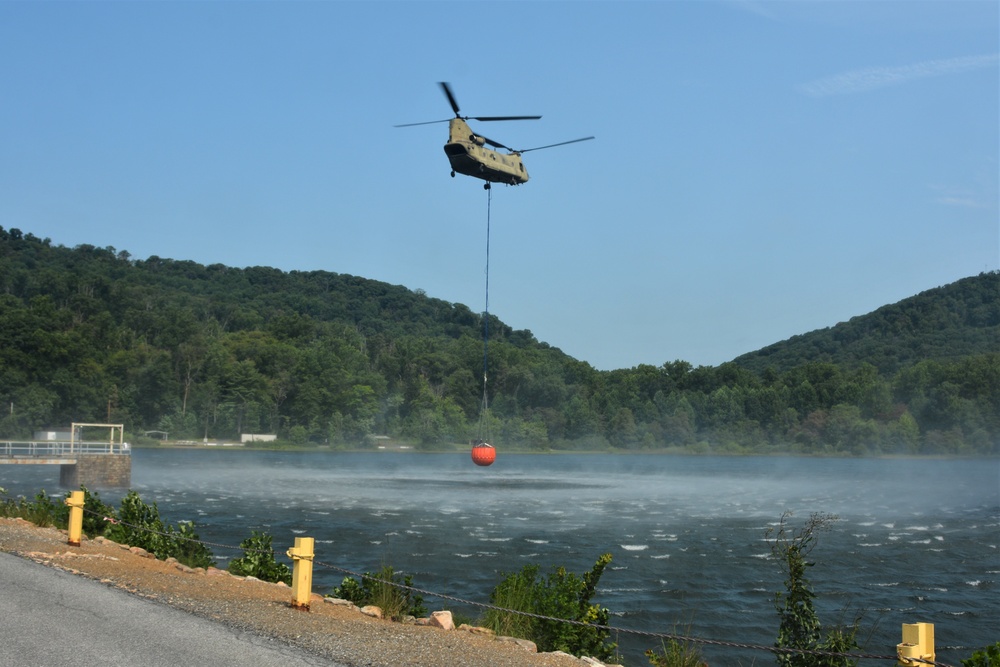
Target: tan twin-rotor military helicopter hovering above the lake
{"x": 470, "y": 153}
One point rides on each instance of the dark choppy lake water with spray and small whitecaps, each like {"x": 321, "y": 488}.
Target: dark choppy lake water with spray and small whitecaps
{"x": 917, "y": 540}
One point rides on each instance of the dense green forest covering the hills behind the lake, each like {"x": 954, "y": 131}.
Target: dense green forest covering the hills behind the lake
{"x": 90, "y": 334}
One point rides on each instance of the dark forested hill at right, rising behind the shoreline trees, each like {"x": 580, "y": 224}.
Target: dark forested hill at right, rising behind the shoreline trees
{"x": 946, "y": 323}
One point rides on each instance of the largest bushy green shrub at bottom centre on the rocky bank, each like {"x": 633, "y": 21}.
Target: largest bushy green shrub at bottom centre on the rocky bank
{"x": 561, "y": 595}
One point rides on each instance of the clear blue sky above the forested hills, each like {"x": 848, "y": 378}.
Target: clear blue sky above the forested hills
{"x": 761, "y": 169}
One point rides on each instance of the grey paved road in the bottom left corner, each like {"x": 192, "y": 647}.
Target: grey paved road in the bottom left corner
{"x": 52, "y": 618}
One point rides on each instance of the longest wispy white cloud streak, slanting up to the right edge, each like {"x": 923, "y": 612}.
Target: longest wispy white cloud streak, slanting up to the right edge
{"x": 872, "y": 78}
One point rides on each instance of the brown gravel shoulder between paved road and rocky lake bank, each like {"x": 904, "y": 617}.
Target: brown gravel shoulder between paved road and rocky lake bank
{"x": 334, "y": 632}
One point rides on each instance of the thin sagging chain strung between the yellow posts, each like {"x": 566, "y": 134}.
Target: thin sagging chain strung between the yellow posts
{"x": 483, "y": 605}
